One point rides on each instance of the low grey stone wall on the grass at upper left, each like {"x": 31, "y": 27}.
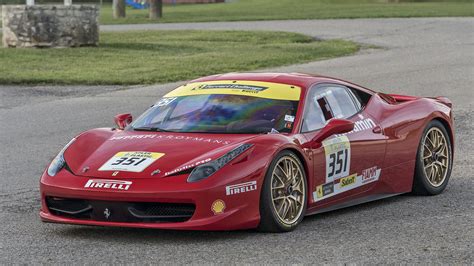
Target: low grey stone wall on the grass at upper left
{"x": 50, "y": 25}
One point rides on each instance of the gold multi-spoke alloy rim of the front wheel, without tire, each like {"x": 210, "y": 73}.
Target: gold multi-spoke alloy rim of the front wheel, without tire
{"x": 288, "y": 190}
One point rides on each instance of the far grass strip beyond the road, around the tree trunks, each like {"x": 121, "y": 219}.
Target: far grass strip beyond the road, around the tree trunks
{"x": 296, "y": 9}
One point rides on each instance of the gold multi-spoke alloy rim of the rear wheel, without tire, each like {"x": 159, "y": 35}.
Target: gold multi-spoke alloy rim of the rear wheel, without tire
{"x": 435, "y": 157}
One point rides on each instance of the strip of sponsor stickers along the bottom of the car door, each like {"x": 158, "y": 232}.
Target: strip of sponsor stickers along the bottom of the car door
{"x": 347, "y": 183}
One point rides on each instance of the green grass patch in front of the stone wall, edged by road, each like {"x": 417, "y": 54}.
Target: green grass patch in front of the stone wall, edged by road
{"x": 164, "y": 56}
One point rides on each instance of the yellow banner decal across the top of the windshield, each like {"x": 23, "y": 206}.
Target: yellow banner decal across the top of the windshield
{"x": 268, "y": 90}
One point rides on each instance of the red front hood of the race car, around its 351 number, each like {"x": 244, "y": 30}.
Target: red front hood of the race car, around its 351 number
{"x": 177, "y": 152}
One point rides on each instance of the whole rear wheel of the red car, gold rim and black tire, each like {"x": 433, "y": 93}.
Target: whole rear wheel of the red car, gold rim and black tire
{"x": 434, "y": 160}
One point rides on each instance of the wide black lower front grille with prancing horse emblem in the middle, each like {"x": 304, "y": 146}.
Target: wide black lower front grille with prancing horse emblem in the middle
{"x": 116, "y": 211}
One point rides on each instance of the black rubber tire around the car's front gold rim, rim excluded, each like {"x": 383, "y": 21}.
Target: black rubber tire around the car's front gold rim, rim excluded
{"x": 269, "y": 219}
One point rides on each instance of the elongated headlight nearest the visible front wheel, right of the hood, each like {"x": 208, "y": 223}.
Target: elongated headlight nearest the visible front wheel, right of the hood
{"x": 205, "y": 170}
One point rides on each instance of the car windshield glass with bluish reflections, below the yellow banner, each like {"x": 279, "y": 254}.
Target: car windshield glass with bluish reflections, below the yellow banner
{"x": 219, "y": 113}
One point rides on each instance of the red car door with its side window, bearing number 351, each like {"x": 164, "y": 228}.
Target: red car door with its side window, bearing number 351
{"x": 345, "y": 165}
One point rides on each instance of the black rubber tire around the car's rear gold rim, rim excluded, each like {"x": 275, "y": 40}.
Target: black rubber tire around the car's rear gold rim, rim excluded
{"x": 421, "y": 182}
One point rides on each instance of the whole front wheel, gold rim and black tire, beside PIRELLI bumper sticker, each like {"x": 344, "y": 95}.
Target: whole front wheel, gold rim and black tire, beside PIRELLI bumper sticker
{"x": 284, "y": 195}
